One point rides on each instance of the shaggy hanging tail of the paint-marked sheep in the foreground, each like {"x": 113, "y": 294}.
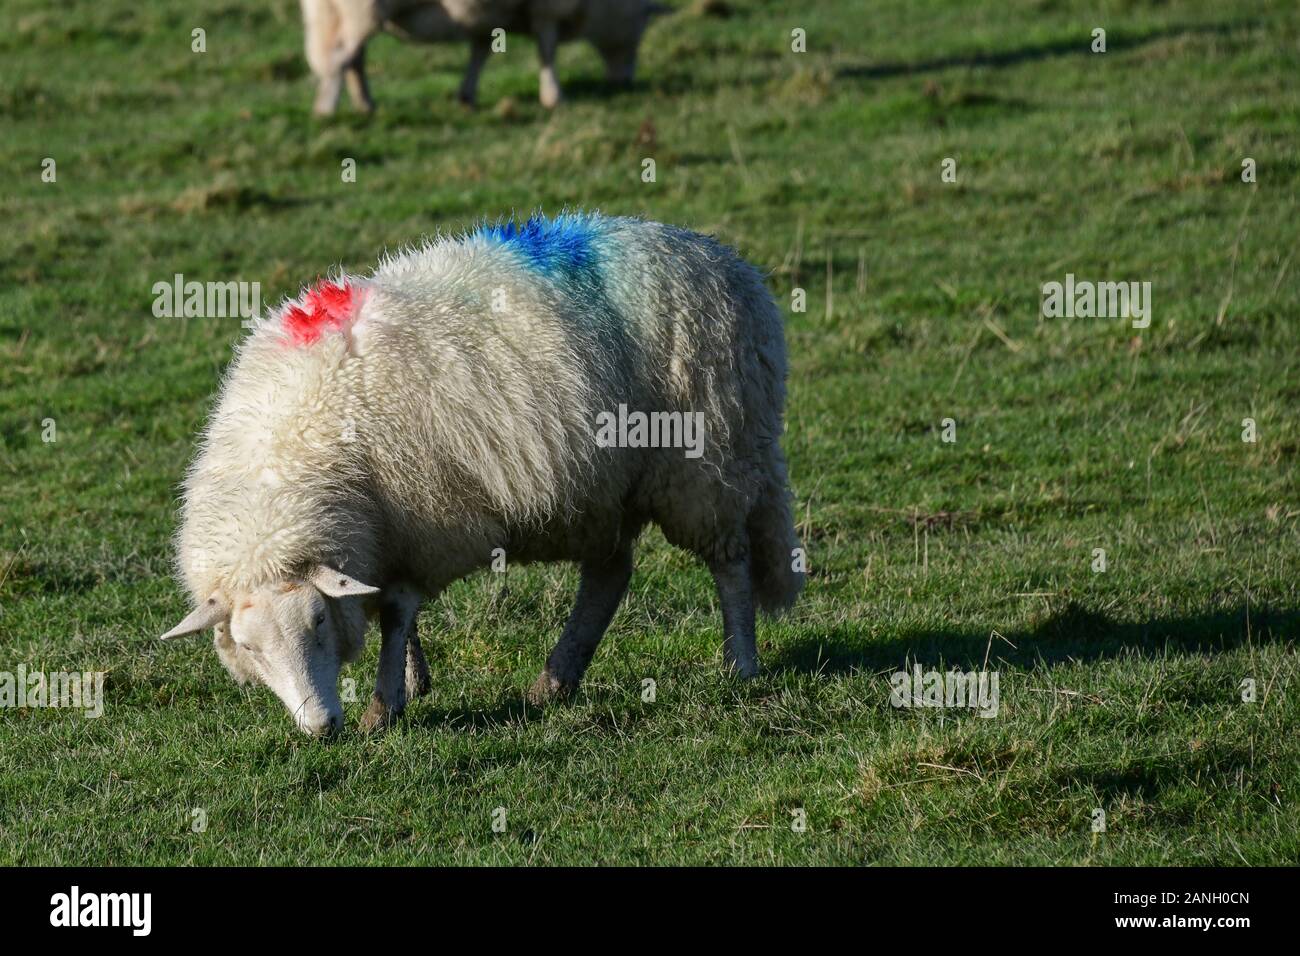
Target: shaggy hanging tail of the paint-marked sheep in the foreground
{"x": 777, "y": 563}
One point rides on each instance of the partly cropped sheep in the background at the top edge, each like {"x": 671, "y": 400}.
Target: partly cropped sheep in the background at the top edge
{"x": 337, "y": 32}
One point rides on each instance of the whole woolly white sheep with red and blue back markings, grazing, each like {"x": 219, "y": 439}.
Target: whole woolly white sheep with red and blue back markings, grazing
{"x": 519, "y": 388}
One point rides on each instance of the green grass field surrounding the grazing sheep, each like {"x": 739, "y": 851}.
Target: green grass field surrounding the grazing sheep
{"x": 1121, "y": 691}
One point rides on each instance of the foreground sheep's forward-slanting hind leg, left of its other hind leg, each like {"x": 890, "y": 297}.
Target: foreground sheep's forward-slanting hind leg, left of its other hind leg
{"x": 599, "y": 596}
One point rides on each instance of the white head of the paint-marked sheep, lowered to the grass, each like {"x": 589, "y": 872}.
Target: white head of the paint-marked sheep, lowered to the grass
{"x": 293, "y": 637}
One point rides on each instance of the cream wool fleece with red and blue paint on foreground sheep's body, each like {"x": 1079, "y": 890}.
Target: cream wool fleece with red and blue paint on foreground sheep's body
{"x": 409, "y": 423}
